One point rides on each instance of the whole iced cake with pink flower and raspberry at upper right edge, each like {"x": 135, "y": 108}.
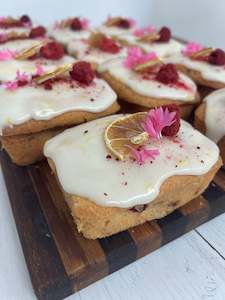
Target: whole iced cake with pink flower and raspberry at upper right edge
{"x": 206, "y": 66}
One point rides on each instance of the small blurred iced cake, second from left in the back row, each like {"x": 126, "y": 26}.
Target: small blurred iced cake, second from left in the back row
{"x": 69, "y": 29}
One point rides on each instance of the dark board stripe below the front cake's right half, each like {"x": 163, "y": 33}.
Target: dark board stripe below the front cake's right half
{"x": 172, "y": 226}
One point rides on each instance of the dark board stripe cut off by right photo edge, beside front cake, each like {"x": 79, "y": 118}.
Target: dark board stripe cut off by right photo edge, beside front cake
{"x": 216, "y": 198}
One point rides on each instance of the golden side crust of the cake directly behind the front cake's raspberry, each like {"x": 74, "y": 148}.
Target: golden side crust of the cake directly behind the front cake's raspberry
{"x": 127, "y": 94}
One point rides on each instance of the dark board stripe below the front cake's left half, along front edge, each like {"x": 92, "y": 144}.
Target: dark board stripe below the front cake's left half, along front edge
{"x": 120, "y": 250}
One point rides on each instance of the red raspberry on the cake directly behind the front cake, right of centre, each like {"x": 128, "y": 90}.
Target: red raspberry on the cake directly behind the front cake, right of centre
{"x": 167, "y": 74}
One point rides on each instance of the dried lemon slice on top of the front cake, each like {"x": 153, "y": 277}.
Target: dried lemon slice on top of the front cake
{"x": 124, "y": 133}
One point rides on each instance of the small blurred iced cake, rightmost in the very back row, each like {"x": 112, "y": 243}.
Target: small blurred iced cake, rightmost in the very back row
{"x": 117, "y": 26}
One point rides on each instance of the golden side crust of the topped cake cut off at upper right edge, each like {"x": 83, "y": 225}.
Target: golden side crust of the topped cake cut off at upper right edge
{"x": 197, "y": 77}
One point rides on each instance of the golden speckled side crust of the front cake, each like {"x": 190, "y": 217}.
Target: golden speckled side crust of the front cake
{"x": 95, "y": 221}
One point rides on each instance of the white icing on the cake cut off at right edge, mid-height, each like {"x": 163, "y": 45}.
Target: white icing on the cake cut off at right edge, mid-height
{"x": 215, "y": 115}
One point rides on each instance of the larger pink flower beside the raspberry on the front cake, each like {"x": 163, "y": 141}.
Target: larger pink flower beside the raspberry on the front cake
{"x": 156, "y": 120}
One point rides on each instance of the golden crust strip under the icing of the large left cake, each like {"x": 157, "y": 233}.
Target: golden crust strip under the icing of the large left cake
{"x": 66, "y": 119}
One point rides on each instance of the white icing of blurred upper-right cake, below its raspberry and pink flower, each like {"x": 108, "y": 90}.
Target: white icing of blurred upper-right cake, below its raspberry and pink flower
{"x": 161, "y": 49}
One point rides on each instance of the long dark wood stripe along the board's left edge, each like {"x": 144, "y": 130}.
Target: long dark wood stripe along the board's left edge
{"x": 39, "y": 248}
